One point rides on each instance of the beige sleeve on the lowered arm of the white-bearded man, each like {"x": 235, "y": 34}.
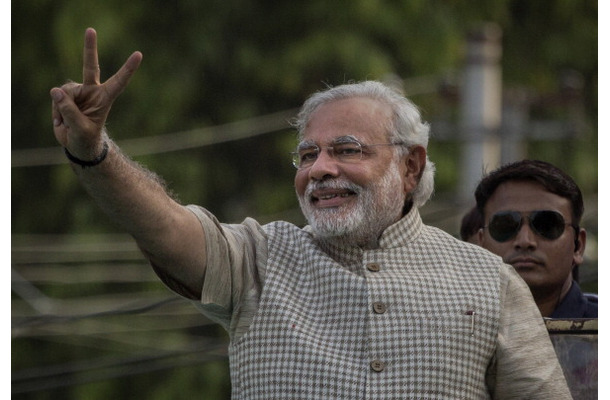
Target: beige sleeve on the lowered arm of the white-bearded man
{"x": 525, "y": 365}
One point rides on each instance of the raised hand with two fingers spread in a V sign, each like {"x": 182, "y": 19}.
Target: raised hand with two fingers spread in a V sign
{"x": 80, "y": 109}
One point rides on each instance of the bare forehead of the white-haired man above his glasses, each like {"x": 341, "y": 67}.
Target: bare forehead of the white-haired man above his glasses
{"x": 363, "y": 118}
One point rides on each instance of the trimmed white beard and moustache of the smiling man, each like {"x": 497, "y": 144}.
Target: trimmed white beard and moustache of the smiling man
{"x": 377, "y": 206}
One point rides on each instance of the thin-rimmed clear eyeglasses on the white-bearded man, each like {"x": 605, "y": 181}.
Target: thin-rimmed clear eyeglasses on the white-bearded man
{"x": 349, "y": 151}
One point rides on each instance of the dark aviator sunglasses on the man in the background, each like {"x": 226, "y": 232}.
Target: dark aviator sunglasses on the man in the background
{"x": 505, "y": 225}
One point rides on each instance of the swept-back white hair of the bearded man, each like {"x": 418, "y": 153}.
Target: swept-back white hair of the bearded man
{"x": 405, "y": 127}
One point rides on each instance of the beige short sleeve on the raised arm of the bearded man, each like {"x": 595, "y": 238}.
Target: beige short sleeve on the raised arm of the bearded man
{"x": 235, "y": 266}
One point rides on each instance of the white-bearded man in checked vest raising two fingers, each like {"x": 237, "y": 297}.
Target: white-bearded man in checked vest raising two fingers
{"x": 364, "y": 302}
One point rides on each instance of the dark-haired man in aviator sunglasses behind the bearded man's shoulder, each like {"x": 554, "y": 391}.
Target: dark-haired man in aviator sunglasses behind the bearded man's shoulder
{"x": 532, "y": 212}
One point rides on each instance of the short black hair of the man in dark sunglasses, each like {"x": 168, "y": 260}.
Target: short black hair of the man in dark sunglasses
{"x": 549, "y": 176}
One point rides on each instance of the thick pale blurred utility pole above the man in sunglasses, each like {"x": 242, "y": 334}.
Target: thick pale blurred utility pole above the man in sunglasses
{"x": 481, "y": 111}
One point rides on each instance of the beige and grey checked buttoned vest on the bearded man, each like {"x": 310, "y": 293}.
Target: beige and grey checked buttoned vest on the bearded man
{"x": 416, "y": 318}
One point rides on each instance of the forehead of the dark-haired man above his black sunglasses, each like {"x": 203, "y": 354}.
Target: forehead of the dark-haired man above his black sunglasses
{"x": 525, "y": 196}
